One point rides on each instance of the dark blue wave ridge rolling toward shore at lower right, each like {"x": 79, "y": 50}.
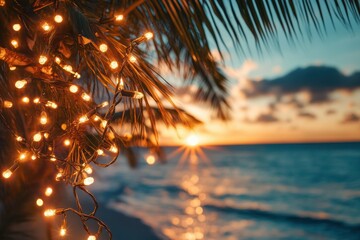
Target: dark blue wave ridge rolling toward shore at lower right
{"x": 285, "y": 217}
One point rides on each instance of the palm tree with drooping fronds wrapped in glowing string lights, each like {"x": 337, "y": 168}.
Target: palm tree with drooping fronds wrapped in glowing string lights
{"x": 72, "y": 55}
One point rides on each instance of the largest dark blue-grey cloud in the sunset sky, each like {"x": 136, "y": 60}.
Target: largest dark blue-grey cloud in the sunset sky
{"x": 317, "y": 81}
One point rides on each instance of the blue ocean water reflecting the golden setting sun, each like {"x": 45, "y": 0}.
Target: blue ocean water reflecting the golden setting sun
{"x": 277, "y": 191}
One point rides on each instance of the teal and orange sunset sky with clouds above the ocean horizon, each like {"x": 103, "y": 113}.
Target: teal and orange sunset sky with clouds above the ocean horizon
{"x": 308, "y": 92}
